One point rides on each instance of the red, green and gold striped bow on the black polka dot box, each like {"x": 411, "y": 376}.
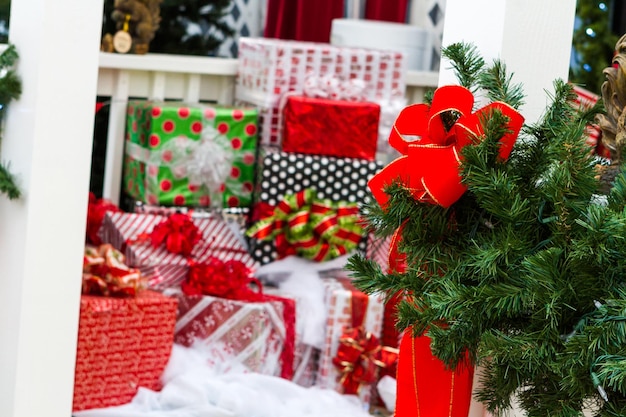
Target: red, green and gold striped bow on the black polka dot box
{"x": 316, "y": 229}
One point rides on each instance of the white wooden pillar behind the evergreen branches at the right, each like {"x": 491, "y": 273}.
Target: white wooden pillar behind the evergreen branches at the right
{"x": 533, "y": 38}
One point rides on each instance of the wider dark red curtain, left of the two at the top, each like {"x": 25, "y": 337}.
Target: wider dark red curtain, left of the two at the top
{"x": 302, "y": 20}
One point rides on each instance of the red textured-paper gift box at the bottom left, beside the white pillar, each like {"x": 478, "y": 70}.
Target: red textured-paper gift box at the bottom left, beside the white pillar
{"x": 123, "y": 344}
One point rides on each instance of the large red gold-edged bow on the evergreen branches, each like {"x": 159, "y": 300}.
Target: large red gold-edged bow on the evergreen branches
{"x": 429, "y": 167}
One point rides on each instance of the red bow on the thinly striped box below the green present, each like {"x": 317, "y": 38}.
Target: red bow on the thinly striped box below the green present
{"x": 178, "y": 232}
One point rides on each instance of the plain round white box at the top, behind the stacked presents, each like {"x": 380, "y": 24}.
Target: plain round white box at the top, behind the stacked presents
{"x": 414, "y": 42}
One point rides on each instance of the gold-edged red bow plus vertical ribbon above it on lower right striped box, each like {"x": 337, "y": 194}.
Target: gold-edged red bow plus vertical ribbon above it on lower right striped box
{"x": 360, "y": 353}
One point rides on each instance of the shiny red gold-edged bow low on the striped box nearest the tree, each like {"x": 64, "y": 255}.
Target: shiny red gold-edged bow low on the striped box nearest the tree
{"x": 358, "y": 358}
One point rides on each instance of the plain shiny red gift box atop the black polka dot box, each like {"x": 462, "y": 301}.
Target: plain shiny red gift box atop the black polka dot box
{"x": 345, "y": 129}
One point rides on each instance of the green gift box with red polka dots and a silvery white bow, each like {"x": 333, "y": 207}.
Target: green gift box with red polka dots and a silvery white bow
{"x": 178, "y": 154}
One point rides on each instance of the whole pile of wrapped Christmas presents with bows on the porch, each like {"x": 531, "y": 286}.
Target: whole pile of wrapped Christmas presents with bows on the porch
{"x": 222, "y": 191}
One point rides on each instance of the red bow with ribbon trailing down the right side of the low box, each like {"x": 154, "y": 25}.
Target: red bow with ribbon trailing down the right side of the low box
{"x": 232, "y": 280}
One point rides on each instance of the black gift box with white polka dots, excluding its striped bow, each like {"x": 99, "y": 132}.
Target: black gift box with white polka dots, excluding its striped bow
{"x": 337, "y": 179}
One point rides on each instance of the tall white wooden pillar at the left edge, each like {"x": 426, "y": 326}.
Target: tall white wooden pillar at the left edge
{"x": 48, "y": 140}
